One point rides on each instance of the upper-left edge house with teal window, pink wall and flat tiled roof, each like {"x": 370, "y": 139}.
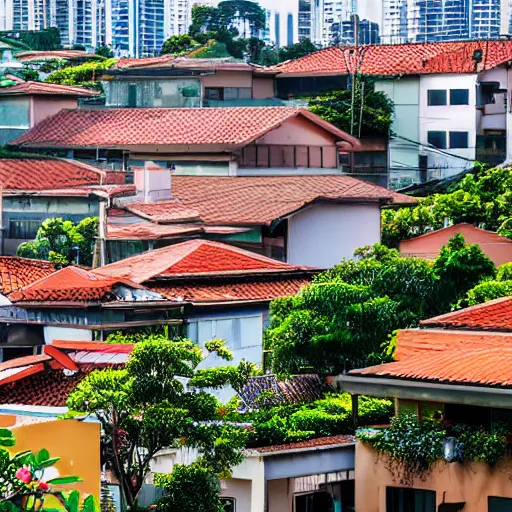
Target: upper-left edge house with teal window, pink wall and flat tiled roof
{"x": 26, "y": 104}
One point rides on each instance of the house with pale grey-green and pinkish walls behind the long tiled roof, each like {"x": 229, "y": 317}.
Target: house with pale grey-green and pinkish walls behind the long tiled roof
{"x": 172, "y": 81}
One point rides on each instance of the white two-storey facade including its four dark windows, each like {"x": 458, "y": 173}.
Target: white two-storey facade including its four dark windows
{"x": 448, "y": 122}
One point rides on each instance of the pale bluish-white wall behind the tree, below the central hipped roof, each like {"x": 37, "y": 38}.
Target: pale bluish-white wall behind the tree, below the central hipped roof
{"x": 241, "y": 330}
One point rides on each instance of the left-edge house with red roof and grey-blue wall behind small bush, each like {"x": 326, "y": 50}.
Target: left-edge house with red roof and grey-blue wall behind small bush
{"x": 36, "y": 188}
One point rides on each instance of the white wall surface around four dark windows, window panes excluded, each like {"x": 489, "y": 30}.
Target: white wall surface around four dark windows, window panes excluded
{"x": 449, "y": 118}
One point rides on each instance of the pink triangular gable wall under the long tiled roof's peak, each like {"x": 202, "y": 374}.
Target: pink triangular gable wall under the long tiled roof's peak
{"x": 298, "y": 131}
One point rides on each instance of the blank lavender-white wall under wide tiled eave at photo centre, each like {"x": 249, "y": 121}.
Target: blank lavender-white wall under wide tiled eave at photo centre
{"x": 322, "y": 235}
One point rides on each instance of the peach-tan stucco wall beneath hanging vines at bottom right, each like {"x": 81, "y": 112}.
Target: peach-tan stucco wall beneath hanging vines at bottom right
{"x": 469, "y": 483}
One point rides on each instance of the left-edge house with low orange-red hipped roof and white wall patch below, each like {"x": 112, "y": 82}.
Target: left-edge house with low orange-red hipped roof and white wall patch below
{"x": 74, "y": 303}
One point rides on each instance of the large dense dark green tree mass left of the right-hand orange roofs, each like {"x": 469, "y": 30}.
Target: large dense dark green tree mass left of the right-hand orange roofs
{"x": 345, "y": 317}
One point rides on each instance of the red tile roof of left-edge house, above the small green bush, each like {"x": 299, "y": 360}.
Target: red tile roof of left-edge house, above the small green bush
{"x": 47, "y": 173}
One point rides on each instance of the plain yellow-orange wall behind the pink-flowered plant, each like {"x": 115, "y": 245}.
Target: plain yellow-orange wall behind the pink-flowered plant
{"x": 76, "y": 443}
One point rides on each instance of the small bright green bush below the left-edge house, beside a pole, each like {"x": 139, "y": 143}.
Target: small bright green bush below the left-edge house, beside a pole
{"x": 57, "y": 240}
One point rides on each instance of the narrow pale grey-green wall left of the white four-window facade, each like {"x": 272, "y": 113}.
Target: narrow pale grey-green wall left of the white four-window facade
{"x": 403, "y": 154}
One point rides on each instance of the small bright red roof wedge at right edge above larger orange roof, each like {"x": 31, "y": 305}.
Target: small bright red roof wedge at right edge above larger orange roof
{"x": 495, "y": 315}
